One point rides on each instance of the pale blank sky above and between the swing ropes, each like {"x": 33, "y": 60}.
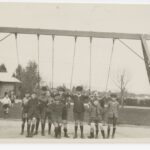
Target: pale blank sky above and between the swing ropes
{"x": 87, "y": 17}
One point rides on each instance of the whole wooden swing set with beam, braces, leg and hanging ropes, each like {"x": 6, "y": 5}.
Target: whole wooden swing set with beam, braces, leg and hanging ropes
{"x": 109, "y": 35}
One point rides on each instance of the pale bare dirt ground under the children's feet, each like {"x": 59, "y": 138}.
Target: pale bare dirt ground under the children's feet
{"x": 11, "y": 129}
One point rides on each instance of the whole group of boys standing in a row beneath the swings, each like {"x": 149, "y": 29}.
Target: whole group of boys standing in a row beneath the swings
{"x": 54, "y": 106}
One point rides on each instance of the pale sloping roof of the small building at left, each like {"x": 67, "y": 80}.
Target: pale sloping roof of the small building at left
{"x": 6, "y": 77}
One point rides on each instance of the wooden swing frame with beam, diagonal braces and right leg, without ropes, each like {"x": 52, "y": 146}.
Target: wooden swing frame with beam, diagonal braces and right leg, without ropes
{"x": 90, "y": 34}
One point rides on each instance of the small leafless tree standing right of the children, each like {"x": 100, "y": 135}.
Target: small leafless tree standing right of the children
{"x": 121, "y": 81}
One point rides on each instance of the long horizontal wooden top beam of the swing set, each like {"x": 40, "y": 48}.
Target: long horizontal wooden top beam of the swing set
{"x": 111, "y": 35}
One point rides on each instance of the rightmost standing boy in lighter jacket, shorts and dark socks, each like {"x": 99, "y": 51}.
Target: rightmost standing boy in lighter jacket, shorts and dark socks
{"x": 113, "y": 108}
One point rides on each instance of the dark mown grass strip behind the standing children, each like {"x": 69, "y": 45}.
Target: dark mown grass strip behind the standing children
{"x": 131, "y": 116}
